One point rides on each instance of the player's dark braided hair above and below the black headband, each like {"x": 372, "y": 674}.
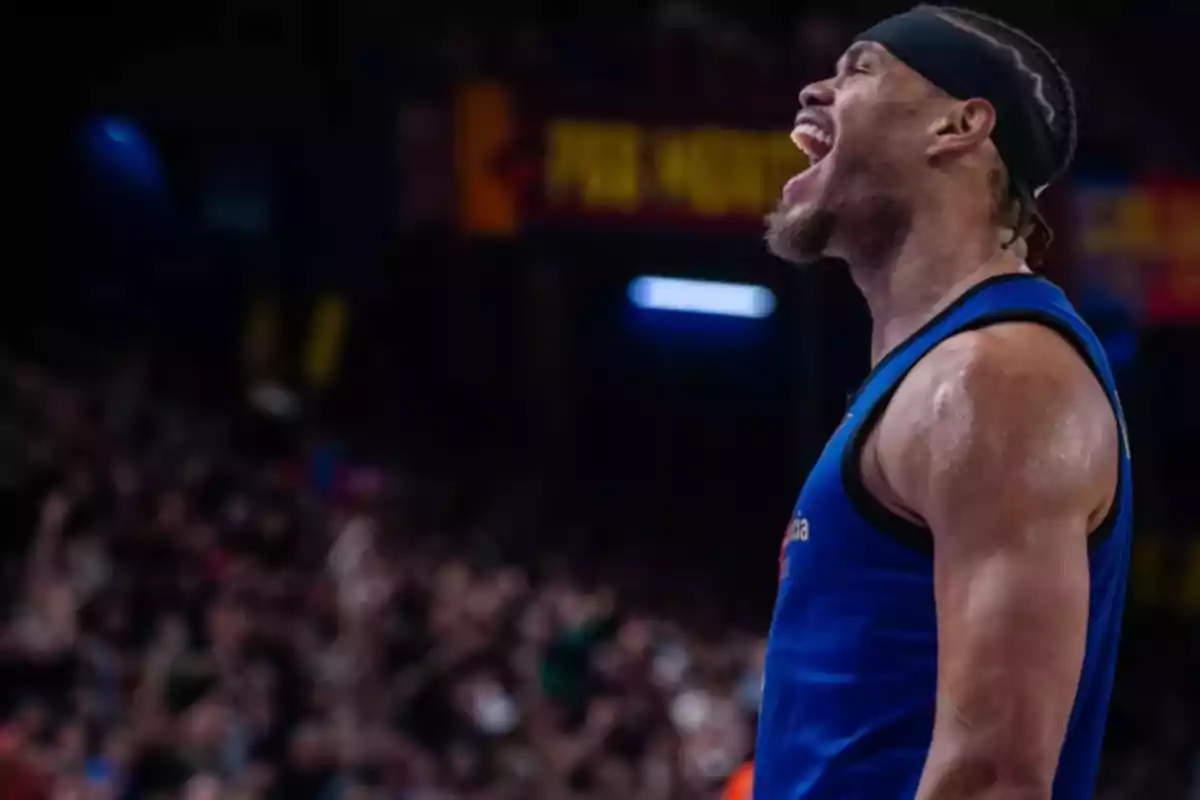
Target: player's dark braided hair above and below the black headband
{"x": 1017, "y": 203}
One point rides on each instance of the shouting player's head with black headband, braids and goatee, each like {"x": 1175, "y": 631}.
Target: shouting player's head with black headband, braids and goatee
{"x": 933, "y": 109}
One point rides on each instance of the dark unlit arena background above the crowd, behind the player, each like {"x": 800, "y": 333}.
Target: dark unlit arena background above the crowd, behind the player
{"x": 175, "y": 167}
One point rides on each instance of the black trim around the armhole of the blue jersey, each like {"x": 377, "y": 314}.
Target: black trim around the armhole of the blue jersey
{"x": 917, "y": 537}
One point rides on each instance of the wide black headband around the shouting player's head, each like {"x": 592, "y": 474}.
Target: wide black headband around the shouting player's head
{"x": 965, "y": 65}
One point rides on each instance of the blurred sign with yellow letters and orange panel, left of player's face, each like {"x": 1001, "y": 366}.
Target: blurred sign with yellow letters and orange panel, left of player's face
{"x": 519, "y": 169}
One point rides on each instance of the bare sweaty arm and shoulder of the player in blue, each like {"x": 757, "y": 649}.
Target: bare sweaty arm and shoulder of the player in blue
{"x": 1005, "y": 447}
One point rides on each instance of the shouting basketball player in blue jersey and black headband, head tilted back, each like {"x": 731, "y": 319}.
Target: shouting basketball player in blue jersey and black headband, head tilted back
{"x": 953, "y": 576}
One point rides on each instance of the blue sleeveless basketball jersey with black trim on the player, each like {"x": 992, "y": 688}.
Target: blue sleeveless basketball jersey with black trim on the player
{"x": 851, "y": 670}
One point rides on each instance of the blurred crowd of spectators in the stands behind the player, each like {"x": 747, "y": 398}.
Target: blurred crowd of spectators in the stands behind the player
{"x": 184, "y": 619}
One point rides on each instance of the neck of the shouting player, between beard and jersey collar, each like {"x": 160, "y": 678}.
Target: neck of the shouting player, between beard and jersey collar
{"x": 929, "y": 269}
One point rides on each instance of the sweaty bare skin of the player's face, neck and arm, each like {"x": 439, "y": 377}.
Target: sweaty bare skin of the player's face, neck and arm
{"x": 1001, "y": 442}
